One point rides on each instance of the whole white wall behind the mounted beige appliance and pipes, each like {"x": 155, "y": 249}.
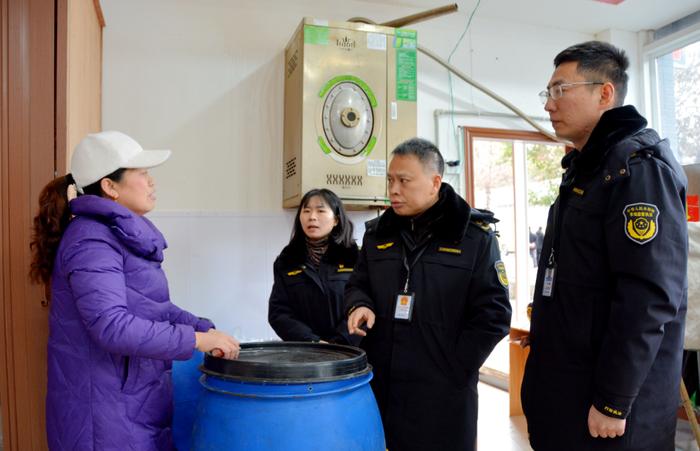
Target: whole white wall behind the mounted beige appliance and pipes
{"x": 205, "y": 79}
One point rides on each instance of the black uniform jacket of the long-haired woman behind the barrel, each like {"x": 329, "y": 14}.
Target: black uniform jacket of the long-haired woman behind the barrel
{"x": 306, "y": 303}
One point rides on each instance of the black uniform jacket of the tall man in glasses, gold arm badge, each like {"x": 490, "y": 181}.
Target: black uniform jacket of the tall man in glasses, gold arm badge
{"x": 611, "y": 335}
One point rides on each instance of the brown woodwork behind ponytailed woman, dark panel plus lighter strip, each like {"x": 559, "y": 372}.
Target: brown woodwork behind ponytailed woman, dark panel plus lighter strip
{"x": 38, "y": 114}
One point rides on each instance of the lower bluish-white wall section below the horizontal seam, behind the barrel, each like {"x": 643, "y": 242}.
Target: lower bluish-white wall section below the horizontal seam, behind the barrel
{"x": 219, "y": 265}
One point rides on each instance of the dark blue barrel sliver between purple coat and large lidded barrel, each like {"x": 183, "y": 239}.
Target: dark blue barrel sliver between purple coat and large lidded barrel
{"x": 186, "y": 393}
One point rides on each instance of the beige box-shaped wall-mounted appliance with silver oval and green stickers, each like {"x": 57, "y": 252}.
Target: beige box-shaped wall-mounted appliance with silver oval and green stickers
{"x": 350, "y": 98}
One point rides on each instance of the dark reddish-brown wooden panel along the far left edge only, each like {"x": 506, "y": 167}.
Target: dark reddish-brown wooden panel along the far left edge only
{"x": 27, "y": 163}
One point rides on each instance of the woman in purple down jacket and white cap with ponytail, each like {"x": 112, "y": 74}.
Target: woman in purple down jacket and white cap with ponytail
{"x": 113, "y": 330}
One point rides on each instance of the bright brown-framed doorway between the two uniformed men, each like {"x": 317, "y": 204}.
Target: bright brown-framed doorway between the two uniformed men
{"x": 516, "y": 175}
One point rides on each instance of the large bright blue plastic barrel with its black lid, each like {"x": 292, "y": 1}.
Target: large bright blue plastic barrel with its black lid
{"x": 288, "y": 396}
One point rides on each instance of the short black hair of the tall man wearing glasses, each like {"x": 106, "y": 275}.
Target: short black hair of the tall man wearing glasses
{"x": 600, "y": 59}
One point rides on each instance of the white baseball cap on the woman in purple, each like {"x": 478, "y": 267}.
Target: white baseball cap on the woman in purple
{"x": 100, "y": 154}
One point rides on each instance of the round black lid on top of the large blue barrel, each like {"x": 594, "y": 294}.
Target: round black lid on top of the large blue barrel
{"x": 278, "y": 361}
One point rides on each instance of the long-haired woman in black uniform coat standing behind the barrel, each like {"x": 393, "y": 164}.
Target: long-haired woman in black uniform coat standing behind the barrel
{"x": 306, "y": 303}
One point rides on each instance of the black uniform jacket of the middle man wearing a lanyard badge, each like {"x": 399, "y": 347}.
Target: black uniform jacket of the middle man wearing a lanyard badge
{"x": 426, "y": 370}
